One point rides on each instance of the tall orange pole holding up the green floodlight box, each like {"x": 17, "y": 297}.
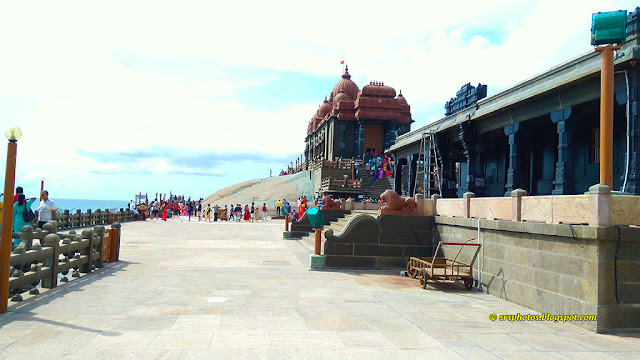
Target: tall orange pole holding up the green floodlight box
{"x": 606, "y": 115}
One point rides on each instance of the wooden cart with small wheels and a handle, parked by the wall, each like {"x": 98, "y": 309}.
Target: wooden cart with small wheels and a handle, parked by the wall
{"x": 436, "y": 268}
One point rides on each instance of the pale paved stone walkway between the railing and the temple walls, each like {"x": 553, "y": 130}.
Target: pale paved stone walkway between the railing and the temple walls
{"x": 228, "y": 291}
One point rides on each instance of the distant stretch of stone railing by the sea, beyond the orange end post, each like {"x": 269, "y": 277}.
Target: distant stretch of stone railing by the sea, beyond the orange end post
{"x": 68, "y": 220}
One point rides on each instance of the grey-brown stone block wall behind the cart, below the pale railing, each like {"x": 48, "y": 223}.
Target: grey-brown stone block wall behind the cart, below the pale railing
{"x": 555, "y": 268}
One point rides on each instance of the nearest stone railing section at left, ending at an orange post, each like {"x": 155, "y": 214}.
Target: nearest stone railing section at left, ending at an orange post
{"x": 56, "y": 254}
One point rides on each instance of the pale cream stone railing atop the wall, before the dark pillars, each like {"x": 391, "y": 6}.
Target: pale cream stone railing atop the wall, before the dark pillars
{"x": 598, "y": 208}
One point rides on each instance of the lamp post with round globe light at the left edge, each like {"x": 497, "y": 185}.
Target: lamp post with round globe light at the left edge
{"x": 13, "y": 134}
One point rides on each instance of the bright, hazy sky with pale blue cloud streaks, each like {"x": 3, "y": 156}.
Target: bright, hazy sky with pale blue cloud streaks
{"x": 120, "y": 97}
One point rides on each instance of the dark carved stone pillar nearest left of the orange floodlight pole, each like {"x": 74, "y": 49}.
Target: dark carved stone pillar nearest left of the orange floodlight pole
{"x": 564, "y": 183}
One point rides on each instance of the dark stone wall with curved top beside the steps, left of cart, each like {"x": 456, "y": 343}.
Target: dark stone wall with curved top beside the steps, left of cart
{"x": 385, "y": 242}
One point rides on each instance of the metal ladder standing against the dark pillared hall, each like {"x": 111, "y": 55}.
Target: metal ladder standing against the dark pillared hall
{"x": 428, "y": 181}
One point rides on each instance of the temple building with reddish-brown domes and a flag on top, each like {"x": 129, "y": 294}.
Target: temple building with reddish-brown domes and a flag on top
{"x": 354, "y": 121}
